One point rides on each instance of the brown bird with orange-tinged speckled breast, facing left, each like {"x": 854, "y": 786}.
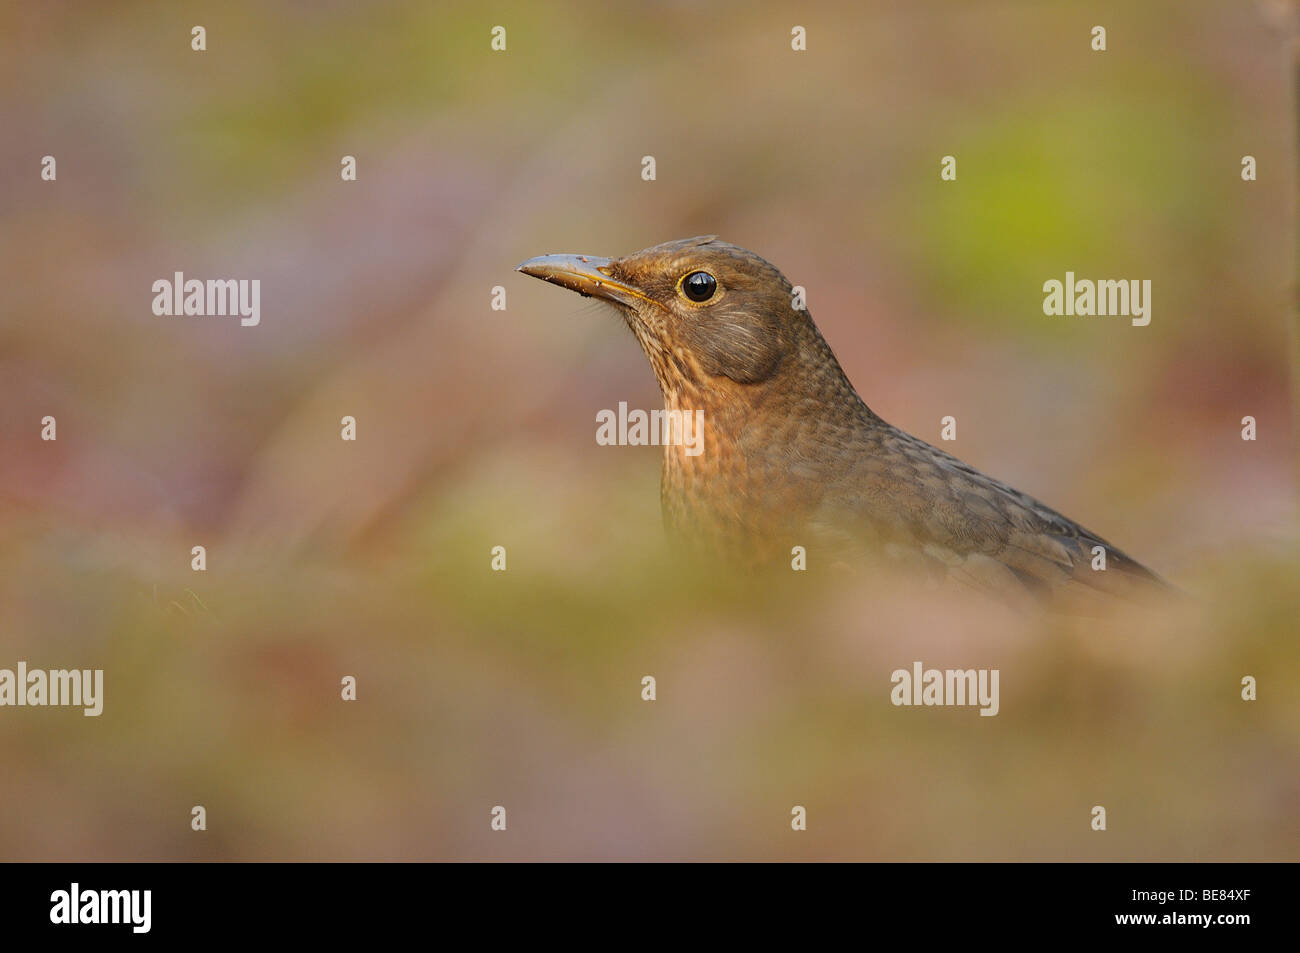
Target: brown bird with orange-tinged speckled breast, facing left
{"x": 794, "y": 457}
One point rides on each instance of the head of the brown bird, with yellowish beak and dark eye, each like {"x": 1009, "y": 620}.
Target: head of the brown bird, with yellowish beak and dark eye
{"x": 709, "y": 315}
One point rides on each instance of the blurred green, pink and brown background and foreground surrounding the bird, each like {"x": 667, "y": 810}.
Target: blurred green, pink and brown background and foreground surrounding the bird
{"x": 476, "y": 428}
